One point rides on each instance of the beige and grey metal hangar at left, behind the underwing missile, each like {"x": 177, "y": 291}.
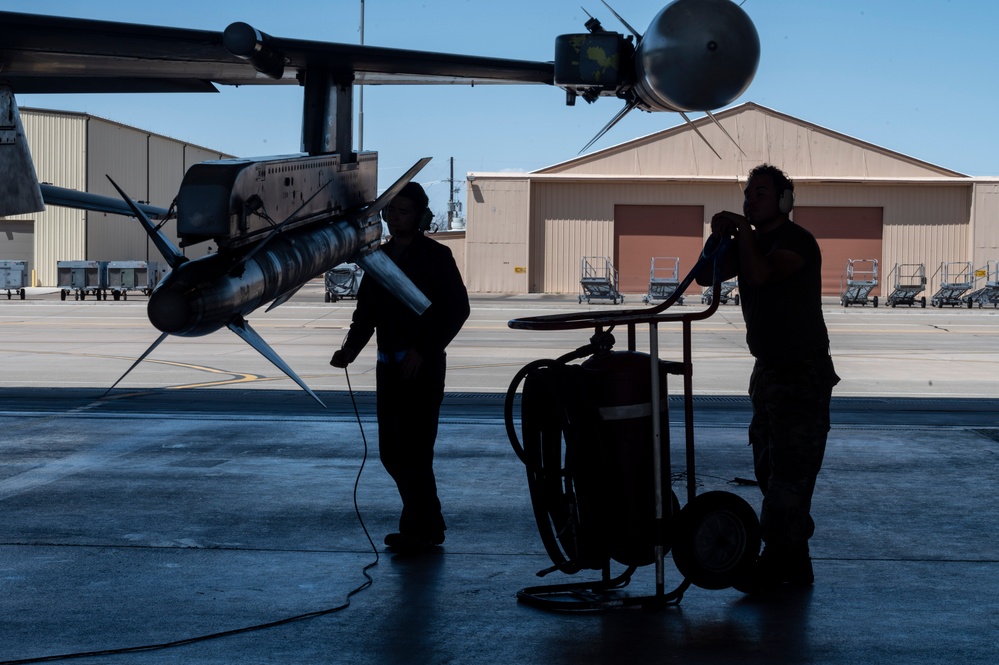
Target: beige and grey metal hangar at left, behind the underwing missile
{"x": 77, "y": 151}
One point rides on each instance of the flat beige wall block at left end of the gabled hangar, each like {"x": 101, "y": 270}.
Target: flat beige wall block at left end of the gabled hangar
{"x": 497, "y": 236}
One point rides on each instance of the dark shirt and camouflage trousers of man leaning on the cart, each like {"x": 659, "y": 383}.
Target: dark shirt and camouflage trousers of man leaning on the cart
{"x": 790, "y": 387}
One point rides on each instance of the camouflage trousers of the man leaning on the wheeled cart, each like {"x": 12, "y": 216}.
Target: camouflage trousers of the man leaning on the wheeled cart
{"x": 788, "y": 434}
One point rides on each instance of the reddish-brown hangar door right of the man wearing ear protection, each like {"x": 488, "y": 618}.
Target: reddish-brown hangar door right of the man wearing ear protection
{"x": 844, "y": 233}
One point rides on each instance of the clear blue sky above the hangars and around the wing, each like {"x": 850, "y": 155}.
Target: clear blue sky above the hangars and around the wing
{"x": 917, "y": 77}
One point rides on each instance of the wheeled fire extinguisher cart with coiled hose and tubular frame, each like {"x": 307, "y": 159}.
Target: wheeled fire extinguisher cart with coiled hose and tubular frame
{"x": 714, "y": 537}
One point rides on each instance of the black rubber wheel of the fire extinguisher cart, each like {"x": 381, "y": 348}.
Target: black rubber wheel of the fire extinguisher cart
{"x": 717, "y": 540}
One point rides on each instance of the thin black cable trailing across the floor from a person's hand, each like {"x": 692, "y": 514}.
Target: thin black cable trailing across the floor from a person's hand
{"x": 248, "y": 629}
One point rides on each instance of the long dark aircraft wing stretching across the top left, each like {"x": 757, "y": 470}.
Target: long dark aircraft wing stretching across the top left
{"x": 52, "y": 54}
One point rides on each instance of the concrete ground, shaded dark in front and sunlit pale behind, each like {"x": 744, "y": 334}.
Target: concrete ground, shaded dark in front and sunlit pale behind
{"x": 207, "y": 495}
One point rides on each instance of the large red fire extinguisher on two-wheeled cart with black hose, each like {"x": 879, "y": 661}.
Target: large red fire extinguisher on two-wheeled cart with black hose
{"x": 714, "y": 537}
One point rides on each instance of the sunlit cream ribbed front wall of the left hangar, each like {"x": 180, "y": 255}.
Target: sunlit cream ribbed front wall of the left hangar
{"x": 58, "y": 150}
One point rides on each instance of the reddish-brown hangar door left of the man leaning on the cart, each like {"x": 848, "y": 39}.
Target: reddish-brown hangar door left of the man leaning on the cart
{"x": 642, "y": 232}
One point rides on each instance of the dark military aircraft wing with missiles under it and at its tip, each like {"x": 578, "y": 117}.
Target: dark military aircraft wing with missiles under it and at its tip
{"x": 281, "y": 221}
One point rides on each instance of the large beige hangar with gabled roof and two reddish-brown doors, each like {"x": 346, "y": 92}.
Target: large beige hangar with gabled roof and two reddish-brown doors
{"x": 654, "y": 196}
